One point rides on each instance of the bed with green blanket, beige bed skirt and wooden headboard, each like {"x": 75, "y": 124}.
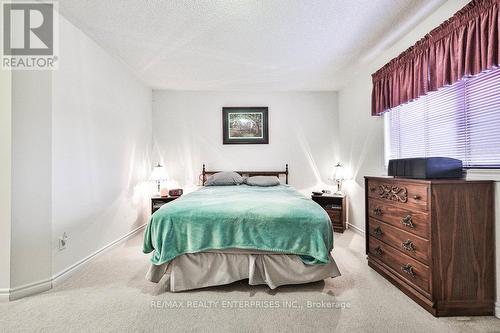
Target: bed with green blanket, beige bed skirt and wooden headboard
{"x": 221, "y": 234}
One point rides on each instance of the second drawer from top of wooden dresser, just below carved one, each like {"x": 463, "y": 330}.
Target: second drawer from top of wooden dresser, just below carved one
{"x": 407, "y": 220}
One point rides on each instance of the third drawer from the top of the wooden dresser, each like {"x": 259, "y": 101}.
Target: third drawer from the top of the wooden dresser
{"x": 410, "y": 244}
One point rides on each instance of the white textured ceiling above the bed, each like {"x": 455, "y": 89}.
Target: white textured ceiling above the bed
{"x": 245, "y": 44}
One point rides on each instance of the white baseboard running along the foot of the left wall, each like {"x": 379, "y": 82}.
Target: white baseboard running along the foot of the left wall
{"x": 44, "y": 285}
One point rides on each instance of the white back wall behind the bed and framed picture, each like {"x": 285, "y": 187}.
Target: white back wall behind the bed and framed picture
{"x": 187, "y": 129}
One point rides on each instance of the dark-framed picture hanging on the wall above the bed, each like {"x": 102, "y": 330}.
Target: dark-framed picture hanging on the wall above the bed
{"x": 245, "y": 125}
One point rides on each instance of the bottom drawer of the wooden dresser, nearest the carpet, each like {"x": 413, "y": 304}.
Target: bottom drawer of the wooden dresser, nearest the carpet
{"x": 404, "y": 266}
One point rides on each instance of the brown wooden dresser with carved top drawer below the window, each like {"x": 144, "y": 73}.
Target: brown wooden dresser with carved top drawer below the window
{"x": 434, "y": 240}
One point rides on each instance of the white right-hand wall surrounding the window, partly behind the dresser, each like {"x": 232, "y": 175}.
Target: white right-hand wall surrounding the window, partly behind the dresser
{"x": 362, "y": 135}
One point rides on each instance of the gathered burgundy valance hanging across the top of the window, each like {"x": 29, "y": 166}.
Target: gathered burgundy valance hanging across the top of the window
{"x": 465, "y": 44}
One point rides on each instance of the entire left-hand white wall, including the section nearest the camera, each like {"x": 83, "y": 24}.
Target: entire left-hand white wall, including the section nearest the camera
{"x": 75, "y": 153}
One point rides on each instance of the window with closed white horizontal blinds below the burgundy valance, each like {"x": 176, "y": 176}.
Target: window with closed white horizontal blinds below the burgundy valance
{"x": 460, "y": 121}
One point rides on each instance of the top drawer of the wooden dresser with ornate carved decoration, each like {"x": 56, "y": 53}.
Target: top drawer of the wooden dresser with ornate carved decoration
{"x": 411, "y": 195}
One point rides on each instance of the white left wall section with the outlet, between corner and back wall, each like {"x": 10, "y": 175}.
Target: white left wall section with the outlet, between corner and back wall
{"x": 101, "y": 129}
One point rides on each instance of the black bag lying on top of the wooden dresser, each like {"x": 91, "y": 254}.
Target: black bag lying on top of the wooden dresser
{"x": 426, "y": 168}
